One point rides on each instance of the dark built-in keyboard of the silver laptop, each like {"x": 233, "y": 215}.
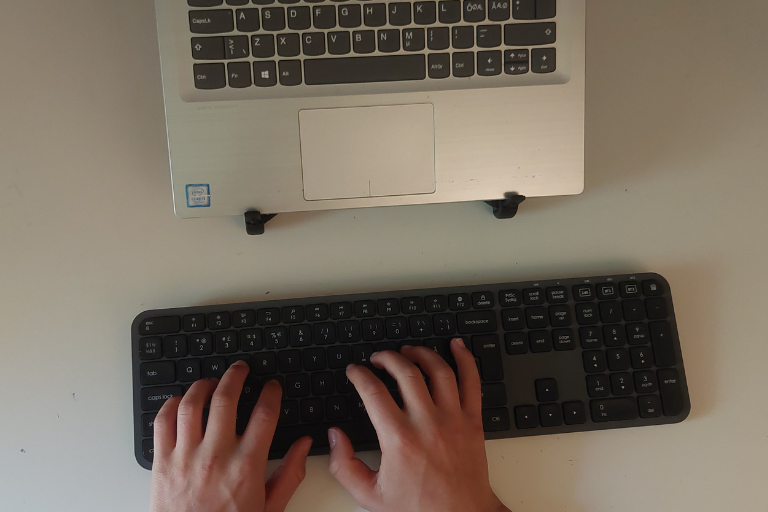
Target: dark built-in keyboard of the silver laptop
{"x": 288, "y": 43}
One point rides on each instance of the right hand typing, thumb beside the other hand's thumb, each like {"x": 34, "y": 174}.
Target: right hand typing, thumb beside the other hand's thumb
{"x": 433, "y": 450}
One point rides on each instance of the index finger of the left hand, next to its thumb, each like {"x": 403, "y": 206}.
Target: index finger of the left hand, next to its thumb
{"x": 261, "y": 426}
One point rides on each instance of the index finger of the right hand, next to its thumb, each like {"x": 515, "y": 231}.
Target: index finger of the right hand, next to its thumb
{"x": 381, "y": 407}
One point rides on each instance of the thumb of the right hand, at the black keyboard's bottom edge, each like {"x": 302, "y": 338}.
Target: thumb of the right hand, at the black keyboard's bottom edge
{"x": 352, "y": 473}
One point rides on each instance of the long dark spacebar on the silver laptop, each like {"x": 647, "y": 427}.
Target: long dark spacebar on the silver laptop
{"x": 356, "y": 70}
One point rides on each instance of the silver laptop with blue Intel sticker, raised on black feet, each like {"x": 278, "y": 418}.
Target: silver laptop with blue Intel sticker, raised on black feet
{"x": 295, "y": 105}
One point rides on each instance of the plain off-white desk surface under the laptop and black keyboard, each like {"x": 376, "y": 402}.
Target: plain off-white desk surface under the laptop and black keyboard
{"x": 677, "y": 176}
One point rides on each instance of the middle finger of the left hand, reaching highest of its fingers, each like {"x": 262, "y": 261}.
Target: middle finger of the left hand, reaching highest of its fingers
{"x": 223, "y": 412}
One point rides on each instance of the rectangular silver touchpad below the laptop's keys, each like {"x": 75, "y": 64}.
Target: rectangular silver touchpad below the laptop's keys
{"x": 367, "y": 151}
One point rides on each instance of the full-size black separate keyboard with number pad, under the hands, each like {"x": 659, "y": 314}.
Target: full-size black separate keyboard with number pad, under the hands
{"x": 555, "y": 356}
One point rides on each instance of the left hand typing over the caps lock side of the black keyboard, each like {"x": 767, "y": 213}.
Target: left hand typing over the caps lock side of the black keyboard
{"x": 216, "y": 470}
